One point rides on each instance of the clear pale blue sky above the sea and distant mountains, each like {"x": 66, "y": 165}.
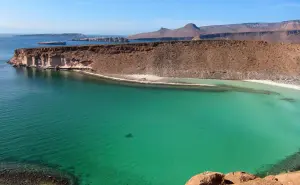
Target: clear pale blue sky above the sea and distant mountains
{"x": 125, "y": 17}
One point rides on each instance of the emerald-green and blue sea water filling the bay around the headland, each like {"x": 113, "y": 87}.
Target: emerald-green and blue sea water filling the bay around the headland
{"x": 116, "y": 134}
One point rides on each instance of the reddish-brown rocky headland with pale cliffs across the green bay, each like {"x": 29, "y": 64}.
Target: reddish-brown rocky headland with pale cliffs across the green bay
{"x": 221, "y": 59}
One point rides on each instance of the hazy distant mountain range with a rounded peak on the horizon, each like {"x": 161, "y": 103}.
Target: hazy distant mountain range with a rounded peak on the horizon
{"x": 191, "y": 30}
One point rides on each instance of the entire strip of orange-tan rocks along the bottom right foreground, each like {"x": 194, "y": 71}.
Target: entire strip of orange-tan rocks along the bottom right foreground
{"x": 243, "y": 178}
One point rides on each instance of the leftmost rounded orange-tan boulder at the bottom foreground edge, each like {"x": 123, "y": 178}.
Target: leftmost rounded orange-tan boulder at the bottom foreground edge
{"x": 207, "y": 178}
